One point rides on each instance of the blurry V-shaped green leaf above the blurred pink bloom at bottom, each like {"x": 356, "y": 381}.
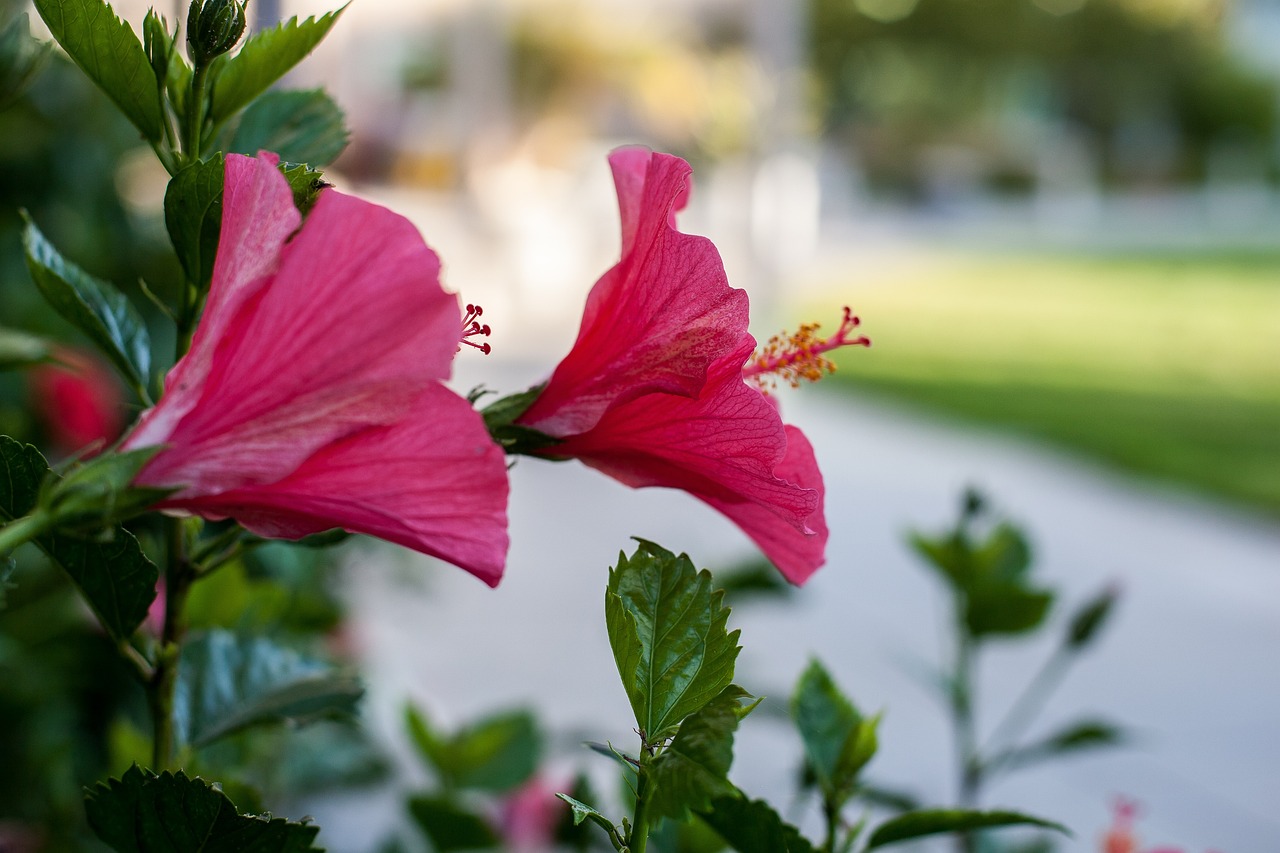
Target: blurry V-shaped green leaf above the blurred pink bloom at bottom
{"x": 497, "y": 754}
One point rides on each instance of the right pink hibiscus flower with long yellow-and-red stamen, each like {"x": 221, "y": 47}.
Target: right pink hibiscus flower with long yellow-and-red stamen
{"x": 655, "y": 394}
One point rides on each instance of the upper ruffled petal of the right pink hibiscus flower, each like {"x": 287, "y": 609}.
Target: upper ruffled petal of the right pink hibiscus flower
{"x": 659, "y": 320}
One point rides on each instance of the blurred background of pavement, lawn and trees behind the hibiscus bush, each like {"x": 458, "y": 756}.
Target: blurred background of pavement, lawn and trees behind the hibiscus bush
{"x": 1060, "y": 223}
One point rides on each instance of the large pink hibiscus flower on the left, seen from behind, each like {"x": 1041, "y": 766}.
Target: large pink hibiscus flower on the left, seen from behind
{"x": 312, "y": 395}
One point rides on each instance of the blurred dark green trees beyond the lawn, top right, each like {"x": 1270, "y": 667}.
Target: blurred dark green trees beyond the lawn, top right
{"x": 898, "y": 76}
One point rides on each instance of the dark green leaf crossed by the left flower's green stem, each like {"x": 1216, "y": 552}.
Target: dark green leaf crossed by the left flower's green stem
{"x": 111, "y": 571}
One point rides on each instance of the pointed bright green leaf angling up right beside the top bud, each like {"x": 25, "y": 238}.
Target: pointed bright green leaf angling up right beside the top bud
{"x": 264, "y": 60}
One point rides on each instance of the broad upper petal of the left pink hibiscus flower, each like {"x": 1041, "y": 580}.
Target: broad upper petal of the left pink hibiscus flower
{"x": 344, "y": 336}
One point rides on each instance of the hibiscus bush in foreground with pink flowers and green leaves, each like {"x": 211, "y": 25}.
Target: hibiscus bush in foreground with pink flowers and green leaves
{"x": 301, "y": 395}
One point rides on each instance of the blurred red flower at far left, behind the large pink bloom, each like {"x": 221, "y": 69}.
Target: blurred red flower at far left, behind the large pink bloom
{"x": 79, "y": 402}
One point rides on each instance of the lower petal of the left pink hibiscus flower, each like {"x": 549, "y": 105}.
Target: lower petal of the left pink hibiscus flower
{"x": 433, "y": 482}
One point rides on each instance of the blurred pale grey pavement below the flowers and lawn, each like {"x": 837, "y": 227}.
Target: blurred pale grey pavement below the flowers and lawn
{"x": 1190, "y": 663}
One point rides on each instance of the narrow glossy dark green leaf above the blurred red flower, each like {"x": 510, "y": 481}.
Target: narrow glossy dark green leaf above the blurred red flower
{"x": 92, "y": 305}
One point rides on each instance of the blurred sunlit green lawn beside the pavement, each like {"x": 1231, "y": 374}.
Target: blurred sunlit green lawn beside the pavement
{"x": 1167, "y": 366}
